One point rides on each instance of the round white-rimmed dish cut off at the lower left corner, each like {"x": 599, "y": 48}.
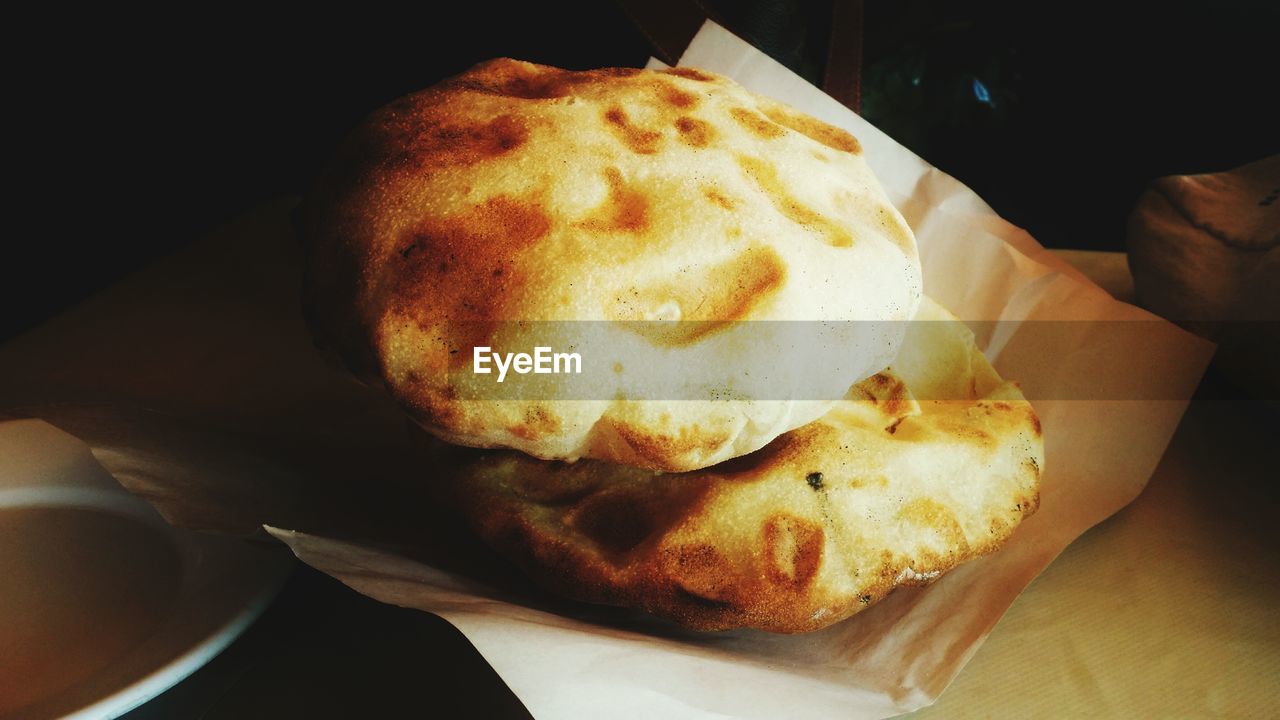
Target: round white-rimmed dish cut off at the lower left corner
{"x": 104, "y": 605}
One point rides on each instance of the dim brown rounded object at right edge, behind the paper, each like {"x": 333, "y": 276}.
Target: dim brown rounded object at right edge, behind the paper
{"x": 1205, "y": 253}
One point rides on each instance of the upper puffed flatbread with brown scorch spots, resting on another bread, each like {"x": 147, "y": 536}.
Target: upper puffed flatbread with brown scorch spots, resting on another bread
{"x": 525, "y": 193}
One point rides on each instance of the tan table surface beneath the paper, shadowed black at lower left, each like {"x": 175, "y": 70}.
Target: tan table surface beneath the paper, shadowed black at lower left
{"x": 1167, "y": 609}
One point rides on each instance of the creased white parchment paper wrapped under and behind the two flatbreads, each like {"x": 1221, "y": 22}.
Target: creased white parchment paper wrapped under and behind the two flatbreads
{"x": 196, "y": 386}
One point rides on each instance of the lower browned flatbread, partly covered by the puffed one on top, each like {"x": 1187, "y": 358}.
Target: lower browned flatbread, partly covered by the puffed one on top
{"x": 893, "y": 486}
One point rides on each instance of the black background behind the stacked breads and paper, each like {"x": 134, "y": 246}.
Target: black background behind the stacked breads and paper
{"x": 132, "y": 133}
